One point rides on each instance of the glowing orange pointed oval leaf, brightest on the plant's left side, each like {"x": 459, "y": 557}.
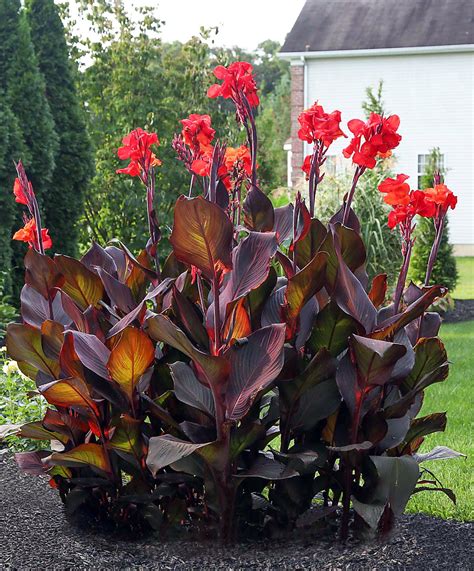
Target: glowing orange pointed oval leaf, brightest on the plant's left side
{"x": 132, "y": 354}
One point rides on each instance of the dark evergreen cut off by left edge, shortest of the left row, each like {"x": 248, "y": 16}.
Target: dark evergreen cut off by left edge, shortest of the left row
{"x": 11, "y": 148}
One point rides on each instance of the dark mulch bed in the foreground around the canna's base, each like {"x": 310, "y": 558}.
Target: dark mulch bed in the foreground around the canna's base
{"x": 35, "y": 534}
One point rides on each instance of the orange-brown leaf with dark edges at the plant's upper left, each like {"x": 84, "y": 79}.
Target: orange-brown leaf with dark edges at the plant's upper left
{"x": 81, "y": 285}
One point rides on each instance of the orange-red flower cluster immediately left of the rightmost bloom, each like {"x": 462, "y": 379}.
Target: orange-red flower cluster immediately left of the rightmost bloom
{"x": 406, "y": 203}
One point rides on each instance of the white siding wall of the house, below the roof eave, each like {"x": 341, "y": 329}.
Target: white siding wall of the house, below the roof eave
{"x": 432, "y": 94}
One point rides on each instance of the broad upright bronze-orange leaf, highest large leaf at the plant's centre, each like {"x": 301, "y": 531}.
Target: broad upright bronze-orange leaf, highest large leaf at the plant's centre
{"x": 202, "y": 235}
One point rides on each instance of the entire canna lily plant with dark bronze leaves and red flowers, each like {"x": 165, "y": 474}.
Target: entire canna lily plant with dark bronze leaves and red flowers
{"x": 254, "y": 379}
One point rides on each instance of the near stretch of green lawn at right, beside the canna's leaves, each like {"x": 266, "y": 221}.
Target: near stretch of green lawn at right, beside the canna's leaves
{"x": 455, "y": 397}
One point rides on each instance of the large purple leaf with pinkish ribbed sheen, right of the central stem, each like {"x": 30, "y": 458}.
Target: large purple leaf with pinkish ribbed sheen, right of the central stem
{"x": 254, "y": 365}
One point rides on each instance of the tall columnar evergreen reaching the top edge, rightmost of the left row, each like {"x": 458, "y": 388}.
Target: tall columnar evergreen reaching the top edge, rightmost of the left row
{"x": 74, "y": 165}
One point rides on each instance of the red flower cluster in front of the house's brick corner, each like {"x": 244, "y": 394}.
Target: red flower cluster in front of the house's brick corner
{"x": 318, "y": 125}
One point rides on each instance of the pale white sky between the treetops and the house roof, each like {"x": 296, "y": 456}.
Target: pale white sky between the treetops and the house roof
{"x": 243, "y": 23}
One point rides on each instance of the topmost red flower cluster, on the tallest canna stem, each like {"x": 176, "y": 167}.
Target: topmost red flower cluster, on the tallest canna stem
{"x": 237, "y": 79}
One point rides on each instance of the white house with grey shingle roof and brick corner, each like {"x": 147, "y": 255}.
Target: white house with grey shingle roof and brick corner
{"x": 423, "y": 50}
